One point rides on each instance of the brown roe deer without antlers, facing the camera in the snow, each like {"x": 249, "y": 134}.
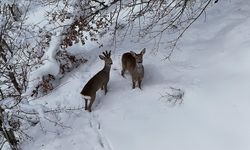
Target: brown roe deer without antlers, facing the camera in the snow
{"x": 133, "y": 63}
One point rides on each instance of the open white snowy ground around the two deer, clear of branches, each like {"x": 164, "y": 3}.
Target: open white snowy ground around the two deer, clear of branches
{"x": 211, "y": 64}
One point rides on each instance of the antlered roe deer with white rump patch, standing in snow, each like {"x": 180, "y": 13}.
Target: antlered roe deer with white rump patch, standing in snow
{"x": 99, "y": 81}
